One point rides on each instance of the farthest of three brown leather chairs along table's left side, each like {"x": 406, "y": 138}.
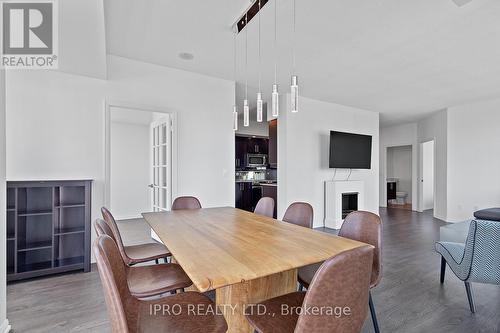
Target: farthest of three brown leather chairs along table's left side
{"x": 134, "y": 254}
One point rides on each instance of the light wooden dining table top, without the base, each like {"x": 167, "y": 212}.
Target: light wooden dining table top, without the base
{"x": 217, "y": 247}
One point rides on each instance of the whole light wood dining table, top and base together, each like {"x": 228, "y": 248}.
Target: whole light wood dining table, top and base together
{"x": 244, "y": 257}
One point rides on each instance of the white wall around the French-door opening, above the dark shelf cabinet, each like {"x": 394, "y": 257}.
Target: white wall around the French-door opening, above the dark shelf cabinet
{"x": 56, "y": 125}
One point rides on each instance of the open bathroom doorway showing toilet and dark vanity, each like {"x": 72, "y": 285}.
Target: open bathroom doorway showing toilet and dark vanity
{"x": 399, "y": 179}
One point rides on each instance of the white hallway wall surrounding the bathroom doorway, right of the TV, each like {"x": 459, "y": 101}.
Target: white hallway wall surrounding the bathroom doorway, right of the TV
{"x": 393, "y": 136}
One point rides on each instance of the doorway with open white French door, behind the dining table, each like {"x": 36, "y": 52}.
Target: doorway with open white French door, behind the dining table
{"x": 139, "y": 159}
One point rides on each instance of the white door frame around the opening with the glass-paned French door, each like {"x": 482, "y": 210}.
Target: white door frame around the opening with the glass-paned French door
{"x": 108, "y": 104}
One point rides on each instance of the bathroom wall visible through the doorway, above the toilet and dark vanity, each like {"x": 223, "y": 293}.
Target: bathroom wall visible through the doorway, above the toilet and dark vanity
{"x": 399, "y": 165}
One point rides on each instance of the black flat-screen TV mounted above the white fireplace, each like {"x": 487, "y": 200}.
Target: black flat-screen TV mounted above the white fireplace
{"x": 350, "y": 151}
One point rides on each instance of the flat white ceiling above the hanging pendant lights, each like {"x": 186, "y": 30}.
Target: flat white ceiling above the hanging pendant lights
{"x": 402, "y": 58}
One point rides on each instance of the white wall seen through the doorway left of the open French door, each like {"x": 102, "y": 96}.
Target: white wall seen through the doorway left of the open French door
{"x": 130, "y": 169}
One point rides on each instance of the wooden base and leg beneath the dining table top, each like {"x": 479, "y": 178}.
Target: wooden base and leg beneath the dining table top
{"x": 239, "y": 295}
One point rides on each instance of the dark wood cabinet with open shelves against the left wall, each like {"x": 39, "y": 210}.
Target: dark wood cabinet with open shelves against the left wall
{"x": 48, "y": 227}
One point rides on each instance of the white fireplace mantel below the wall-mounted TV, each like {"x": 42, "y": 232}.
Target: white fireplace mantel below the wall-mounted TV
{"x": 333, "y": 199}
